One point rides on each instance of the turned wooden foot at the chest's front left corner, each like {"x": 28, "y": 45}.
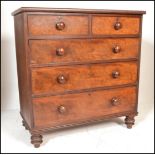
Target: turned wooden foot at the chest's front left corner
{"x": 36, "y": 140}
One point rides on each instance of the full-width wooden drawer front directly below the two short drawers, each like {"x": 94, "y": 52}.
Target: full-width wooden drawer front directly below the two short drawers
{"x": 78, "y": 50}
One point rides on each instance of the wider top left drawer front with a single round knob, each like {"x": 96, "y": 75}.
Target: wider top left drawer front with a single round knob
{"x": 57, "y": 25}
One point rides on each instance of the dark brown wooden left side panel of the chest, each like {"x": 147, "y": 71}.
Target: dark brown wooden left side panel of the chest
{"x": 22, "y": 69}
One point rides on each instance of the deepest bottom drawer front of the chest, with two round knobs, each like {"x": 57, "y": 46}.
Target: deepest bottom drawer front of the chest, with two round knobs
{"x": 74, "y": 108}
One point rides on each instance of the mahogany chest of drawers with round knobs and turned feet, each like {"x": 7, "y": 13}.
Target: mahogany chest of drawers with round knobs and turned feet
{"x": 76, "y": 66}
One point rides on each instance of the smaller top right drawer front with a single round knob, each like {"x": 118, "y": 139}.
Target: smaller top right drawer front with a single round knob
{"x": 102, "y": 25}
